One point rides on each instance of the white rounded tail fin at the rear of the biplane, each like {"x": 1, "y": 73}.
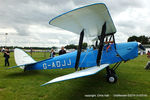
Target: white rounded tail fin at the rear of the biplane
{"x": 22, "y": 58}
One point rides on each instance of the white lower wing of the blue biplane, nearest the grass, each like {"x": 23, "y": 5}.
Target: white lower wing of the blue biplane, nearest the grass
{"x": 82, "y": 73}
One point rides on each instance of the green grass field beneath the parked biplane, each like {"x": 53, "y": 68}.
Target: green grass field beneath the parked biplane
{"x": 15, "y": 84}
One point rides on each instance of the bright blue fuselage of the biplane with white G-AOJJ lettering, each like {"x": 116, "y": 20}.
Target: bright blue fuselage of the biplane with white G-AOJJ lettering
{"x": 110, "y": 55}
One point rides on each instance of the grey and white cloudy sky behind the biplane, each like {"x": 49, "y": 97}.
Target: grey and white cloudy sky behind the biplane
{"x": 26, "y": 21}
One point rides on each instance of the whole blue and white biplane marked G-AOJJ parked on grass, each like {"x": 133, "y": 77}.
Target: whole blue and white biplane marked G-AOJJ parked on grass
{"x": 92, "y": 21}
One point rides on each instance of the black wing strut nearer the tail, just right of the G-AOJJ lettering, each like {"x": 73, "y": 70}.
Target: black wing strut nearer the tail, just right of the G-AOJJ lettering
{"x": 79, "y": 50}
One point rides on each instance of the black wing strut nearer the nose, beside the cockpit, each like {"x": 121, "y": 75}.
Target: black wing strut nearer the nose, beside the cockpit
{"x": 101, "y": 45}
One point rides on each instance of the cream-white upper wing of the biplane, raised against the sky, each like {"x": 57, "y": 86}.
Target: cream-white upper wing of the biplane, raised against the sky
{"x": 90, "y": 18}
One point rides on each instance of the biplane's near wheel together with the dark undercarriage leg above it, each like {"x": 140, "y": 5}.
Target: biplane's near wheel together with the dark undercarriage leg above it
{"x": 111, "y": 76}
